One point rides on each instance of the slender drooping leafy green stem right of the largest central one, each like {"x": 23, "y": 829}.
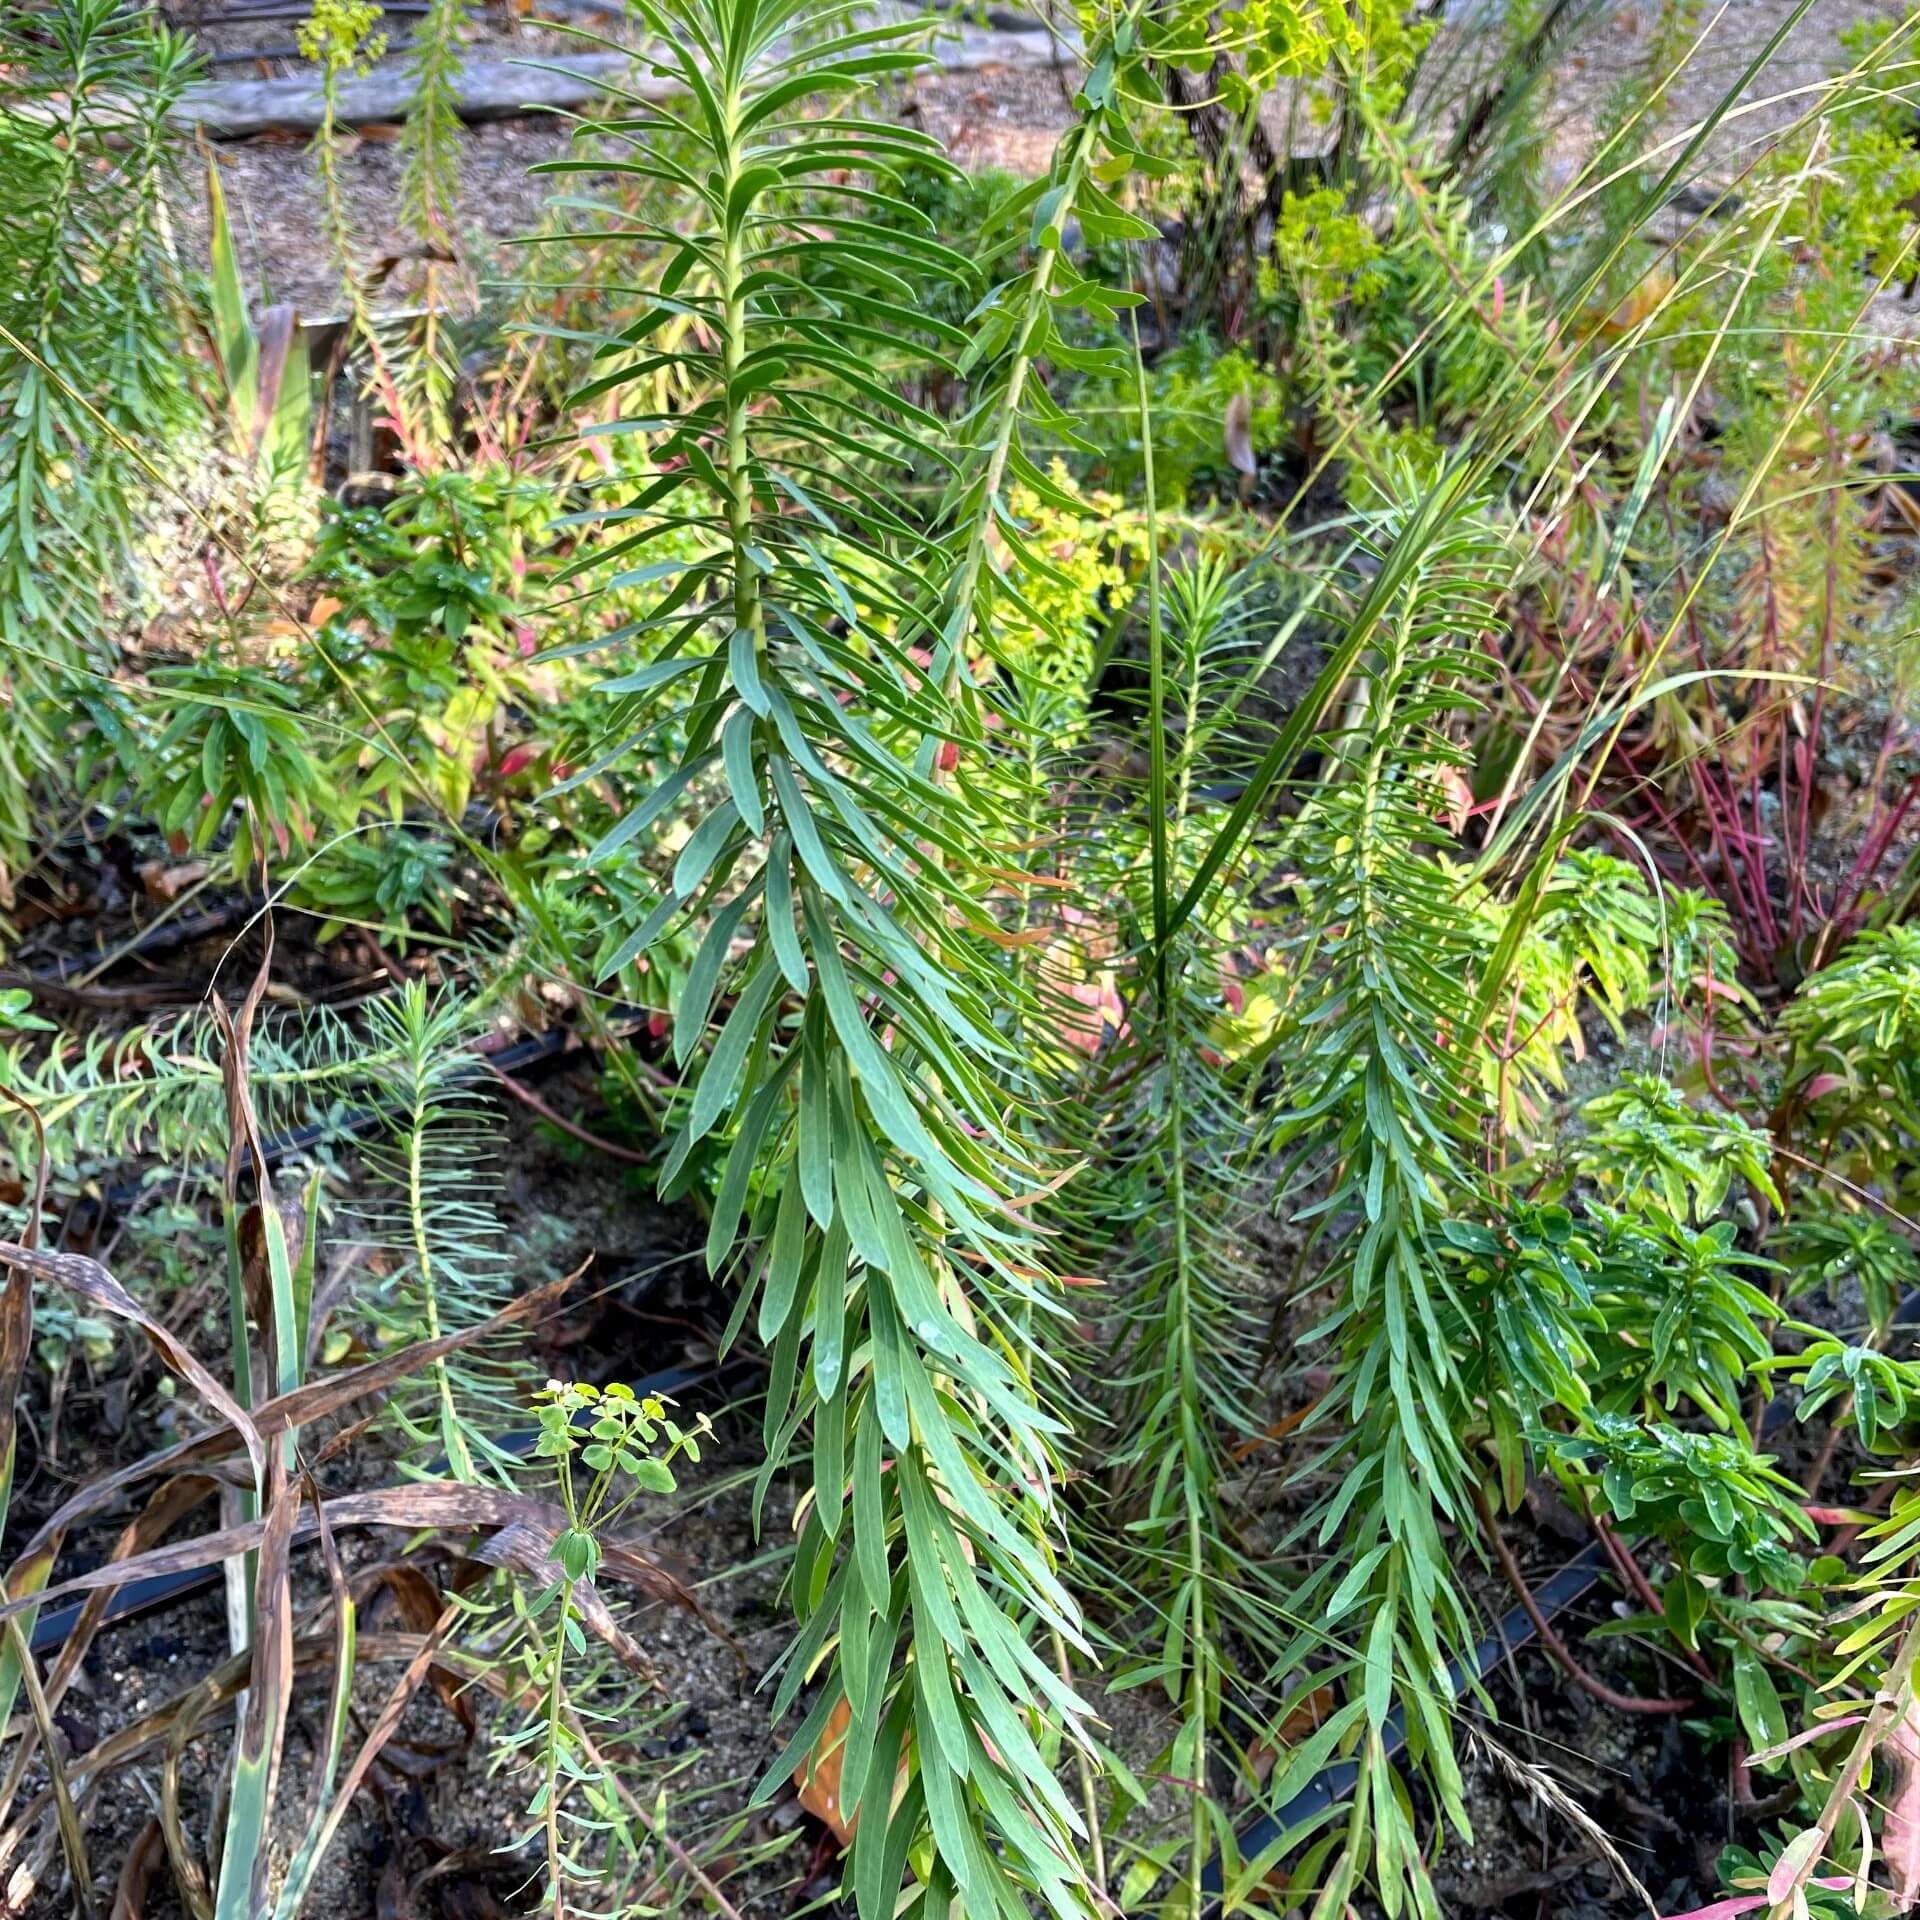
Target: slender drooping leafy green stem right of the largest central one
{"x": 1381, "y": 1101}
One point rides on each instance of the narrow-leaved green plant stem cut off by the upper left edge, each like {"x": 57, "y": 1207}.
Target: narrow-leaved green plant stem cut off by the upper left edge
{"x": 85, "y": 343}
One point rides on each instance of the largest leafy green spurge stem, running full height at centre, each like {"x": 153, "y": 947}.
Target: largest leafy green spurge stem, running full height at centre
{"x": 850, "y": 1099}
